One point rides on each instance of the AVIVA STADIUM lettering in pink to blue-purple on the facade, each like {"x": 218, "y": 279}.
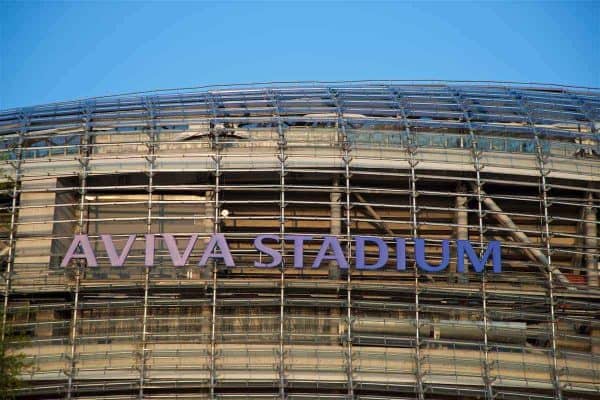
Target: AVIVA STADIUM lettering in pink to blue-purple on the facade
{"x": 218, "y": 249}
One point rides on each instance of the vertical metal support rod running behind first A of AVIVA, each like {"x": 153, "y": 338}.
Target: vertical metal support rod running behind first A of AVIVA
{"x": 84, "y": 158}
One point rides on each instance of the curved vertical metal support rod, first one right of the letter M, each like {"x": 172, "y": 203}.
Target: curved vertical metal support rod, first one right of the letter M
{"x": 544, "y": 189}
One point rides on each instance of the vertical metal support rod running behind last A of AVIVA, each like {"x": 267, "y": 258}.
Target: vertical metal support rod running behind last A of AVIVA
{"x": 216, "y": 156}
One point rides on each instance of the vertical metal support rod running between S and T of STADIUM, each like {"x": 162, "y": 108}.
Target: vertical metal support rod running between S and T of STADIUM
{"x": 281, "y": 156}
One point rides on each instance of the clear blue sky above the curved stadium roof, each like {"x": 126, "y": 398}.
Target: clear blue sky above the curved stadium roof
{"x": 64, "y": 51}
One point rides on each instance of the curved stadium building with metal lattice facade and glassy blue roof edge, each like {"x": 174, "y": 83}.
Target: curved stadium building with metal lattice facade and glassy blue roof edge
{"x": 434, "y": 163}
